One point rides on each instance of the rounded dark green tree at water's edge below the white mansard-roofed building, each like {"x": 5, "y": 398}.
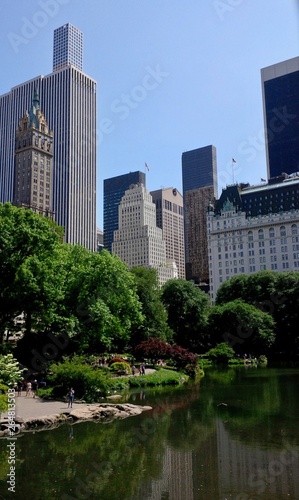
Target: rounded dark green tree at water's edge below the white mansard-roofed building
{"x": 243, "y": 326}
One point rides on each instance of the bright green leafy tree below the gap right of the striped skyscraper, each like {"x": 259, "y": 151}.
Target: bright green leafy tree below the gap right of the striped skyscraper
{"x": 102, "y": 297}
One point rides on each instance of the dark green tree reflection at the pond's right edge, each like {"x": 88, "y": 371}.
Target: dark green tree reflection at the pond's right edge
{"x": 257, "y": 410}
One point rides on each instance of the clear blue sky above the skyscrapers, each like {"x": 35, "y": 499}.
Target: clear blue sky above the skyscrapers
{"x": 172, "y": 76}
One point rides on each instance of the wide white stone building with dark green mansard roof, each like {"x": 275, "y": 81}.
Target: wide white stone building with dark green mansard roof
{"x": 243, "y": 241}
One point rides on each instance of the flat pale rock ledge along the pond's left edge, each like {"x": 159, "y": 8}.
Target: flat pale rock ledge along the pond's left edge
{"x": 102, "y": 412}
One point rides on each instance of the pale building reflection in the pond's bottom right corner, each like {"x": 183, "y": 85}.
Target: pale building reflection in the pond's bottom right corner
{"x": 256, "y": 472}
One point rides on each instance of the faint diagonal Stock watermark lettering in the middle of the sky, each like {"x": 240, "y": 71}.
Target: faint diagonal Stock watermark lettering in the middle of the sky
{"x": 127, "y": 102}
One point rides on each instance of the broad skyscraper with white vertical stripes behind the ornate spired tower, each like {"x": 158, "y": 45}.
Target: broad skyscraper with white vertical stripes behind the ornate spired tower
{"x": 68, "y": 100}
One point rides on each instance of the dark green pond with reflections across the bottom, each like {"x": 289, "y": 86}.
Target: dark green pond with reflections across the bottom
{"x": 234, "y": 435}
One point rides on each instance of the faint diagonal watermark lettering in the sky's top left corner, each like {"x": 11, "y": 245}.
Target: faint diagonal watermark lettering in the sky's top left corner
{"x": 30, "y": 27}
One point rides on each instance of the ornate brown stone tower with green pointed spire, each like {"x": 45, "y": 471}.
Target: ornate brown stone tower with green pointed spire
{"x": 34, "y": 162}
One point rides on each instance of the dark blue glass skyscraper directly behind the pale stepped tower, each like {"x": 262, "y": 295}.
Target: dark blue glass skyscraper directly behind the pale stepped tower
{"x": 114, "y": 190}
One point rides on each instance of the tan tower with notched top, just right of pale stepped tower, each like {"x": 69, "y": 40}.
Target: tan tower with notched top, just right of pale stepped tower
{"x": 170, "y": 218}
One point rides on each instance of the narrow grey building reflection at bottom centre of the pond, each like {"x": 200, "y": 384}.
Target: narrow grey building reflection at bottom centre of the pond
{"x": 176, "y": 478}
